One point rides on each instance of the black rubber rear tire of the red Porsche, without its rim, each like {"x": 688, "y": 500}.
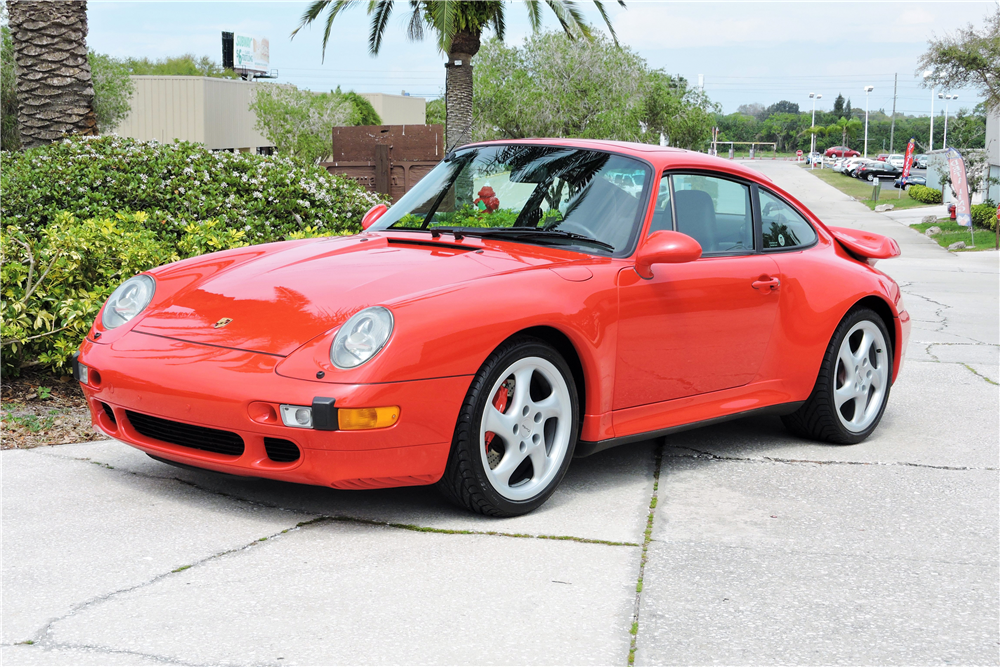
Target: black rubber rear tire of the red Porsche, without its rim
{"x": 817, "y": 418}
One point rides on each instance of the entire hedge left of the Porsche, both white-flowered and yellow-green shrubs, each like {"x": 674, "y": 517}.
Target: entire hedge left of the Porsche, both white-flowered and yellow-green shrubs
{"x": 82, "y": 215}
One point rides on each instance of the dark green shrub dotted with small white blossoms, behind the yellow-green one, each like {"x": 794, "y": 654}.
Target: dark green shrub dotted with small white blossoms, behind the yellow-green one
{"x": 177, "y": 184}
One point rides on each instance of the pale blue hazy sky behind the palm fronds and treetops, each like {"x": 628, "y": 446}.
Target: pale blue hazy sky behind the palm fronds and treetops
{"x": 747, "y": 51}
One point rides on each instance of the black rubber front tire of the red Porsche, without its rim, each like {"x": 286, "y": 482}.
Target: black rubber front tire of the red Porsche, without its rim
{"x": 465, "y": 482}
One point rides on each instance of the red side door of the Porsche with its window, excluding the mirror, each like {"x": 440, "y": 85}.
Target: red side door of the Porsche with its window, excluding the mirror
{"x": 702, "y": 326}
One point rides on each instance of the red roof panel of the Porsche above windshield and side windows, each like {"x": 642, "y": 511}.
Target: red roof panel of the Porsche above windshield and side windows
{"x": 661, "y": 157}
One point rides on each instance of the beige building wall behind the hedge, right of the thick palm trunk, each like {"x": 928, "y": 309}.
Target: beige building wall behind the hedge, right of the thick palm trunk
{"x": 215, "y": 112}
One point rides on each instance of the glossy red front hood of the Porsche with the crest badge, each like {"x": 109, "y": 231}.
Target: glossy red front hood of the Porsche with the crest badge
{"x": 281, "y": 299}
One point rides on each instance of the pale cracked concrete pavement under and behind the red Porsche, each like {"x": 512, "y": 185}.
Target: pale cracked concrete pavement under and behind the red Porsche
{"x": 765, "y": 549}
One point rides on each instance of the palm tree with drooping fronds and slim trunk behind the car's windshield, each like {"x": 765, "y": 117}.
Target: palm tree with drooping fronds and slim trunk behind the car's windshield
{"x": 459, "y": 26}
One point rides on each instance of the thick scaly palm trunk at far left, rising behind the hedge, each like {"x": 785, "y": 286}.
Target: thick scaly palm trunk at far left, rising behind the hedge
{"x": 54, "y": 90}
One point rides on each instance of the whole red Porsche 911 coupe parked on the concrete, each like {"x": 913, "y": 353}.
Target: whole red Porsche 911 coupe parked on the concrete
{"x": 526, "y": 302}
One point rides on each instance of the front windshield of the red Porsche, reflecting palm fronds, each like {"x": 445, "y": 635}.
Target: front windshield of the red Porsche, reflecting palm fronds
{"x": 537, "y": 194}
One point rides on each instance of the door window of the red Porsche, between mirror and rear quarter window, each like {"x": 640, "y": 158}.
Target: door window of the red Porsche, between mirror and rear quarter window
{"x": 715, "y": 212}
